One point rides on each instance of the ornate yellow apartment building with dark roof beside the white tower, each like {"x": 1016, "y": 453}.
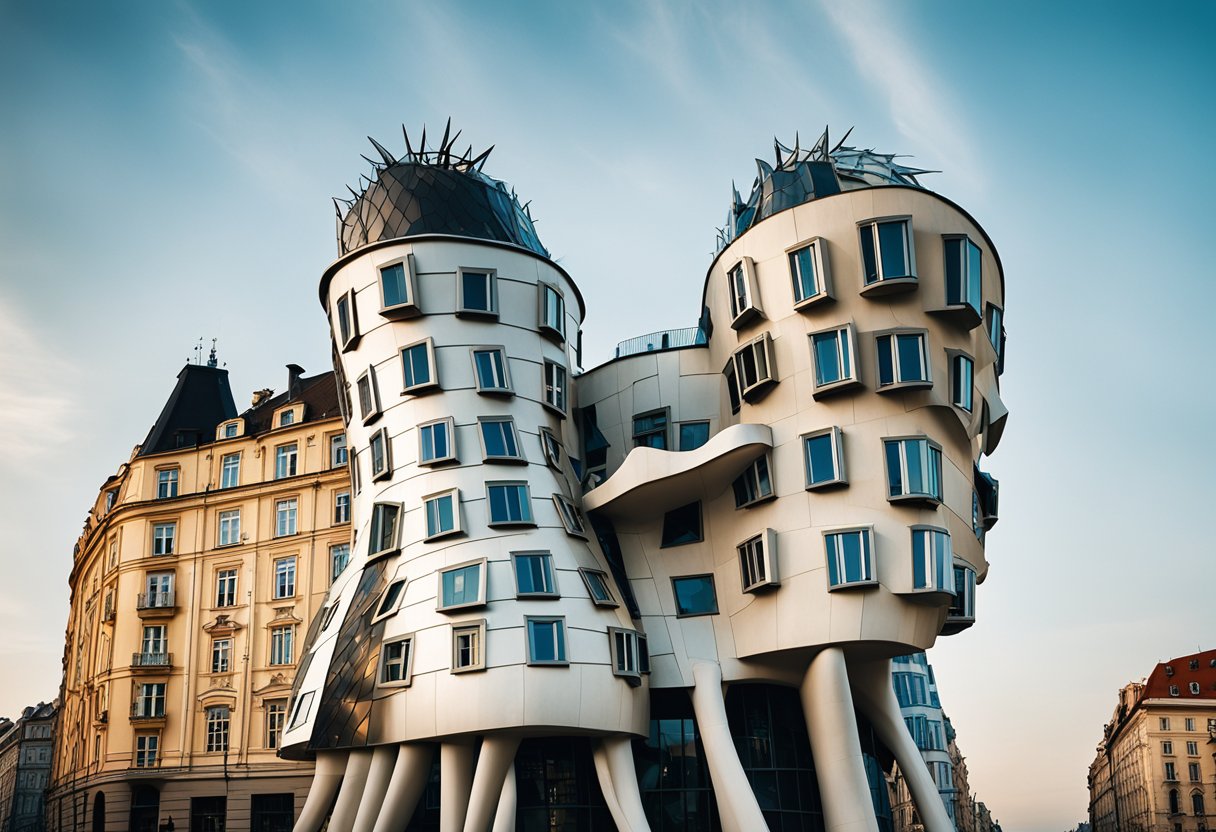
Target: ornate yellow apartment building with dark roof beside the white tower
{"x": 201, "y": 565}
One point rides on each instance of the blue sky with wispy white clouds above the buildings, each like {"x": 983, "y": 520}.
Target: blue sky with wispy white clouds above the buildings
{"x": 168, "y": 167}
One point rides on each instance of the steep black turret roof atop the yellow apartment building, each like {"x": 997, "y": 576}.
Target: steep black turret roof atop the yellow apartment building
{"x": 201, "y": 401}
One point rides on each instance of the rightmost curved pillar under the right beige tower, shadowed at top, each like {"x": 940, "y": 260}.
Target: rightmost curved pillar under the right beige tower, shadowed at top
{"x": 875, "y": 696}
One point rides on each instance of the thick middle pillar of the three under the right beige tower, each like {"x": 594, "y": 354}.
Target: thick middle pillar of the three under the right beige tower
{"x": 836, "y": 745}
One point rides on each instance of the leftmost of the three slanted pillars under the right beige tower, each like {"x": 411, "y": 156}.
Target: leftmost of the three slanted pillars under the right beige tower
{"x": 736, "y": 801}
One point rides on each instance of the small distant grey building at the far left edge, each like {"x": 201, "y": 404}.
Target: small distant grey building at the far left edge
{"x": 26, "y": 769}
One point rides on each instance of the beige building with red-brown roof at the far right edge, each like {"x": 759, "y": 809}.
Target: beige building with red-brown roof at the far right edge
{"x": 1156, "y": 768}
